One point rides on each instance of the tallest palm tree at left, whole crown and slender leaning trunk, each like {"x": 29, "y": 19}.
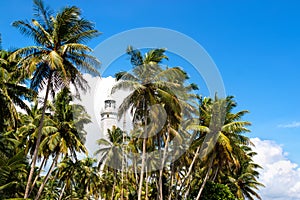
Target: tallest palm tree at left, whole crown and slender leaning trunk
{"x": 58, "y": 55}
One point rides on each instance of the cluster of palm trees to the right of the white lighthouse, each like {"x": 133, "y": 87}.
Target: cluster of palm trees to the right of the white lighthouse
{"x": 174, "y": 153}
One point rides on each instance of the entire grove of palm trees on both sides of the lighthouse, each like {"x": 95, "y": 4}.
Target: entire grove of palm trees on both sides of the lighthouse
{"x": 179, "y": 144}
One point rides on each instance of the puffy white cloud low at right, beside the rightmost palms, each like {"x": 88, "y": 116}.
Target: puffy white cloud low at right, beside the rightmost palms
{"x": 280, "y": 176}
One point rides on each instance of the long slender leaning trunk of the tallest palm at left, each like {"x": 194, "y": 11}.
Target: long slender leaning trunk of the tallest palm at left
{"x": 38, "y": 141}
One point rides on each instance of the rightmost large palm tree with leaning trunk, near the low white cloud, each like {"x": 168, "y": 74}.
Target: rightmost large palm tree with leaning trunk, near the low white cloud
{"x": 220, "y": 147}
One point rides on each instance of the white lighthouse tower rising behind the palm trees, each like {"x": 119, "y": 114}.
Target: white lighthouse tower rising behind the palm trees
{"x": 108, "y": 116}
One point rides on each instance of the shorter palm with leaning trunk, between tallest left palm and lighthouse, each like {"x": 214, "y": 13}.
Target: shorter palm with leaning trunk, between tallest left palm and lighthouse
{"x": 66, "y": 137}
